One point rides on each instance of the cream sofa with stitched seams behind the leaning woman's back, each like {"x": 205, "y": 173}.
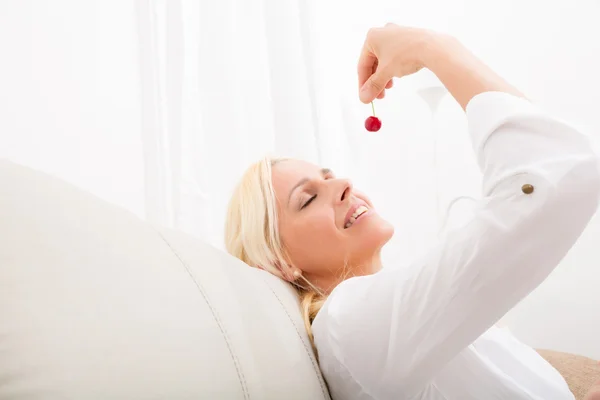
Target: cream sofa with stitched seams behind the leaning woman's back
{"x": 96, "y": 304}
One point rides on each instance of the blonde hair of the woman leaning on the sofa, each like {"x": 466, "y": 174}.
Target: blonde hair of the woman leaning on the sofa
{"x": 252, "y": 235}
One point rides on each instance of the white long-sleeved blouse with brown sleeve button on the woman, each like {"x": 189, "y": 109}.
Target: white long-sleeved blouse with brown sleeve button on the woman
{"x": 427, "y": 331}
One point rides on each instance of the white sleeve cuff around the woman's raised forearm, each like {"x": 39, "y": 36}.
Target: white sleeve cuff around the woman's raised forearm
{"x": 487, "y": 111}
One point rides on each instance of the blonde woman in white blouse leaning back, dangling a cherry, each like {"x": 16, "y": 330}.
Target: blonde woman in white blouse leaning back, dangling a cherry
{"x": 426, "y": 331}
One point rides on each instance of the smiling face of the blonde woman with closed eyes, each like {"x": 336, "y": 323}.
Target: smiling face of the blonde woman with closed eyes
{"x": 328, "y": 229}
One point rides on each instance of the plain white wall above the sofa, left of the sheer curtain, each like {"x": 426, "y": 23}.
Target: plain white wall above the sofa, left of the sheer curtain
{"x": 69, "y": 97}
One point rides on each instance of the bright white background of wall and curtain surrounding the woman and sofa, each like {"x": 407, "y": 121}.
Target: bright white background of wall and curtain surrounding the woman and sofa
{"x": 158, "y": 106}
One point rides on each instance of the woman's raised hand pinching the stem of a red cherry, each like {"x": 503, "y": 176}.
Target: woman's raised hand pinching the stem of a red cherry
{"x": 391, "y": 51}
